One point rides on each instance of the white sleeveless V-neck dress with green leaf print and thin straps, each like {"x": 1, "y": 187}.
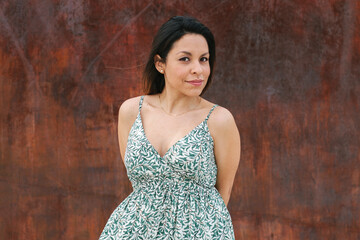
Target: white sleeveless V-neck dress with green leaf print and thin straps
{"x": 174, "y": 196}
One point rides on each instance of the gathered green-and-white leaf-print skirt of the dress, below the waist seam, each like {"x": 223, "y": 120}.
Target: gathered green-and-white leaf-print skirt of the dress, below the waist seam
{"x": 170, "y": 210}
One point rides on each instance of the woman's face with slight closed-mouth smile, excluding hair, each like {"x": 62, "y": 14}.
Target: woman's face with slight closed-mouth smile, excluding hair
{"x": 187, "y": 68}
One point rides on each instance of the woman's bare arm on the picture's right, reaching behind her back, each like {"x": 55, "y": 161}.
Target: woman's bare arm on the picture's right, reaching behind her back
{"x": 227, "y": 147}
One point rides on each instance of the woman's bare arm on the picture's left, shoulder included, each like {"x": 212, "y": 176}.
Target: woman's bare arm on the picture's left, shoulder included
{"x": 127, "y": 114}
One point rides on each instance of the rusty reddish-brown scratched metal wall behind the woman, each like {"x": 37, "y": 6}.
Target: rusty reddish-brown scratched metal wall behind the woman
{"x": 288, "y": 70}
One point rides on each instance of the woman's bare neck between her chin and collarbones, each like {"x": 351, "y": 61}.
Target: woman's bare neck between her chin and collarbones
{"x": 177, "y": 104}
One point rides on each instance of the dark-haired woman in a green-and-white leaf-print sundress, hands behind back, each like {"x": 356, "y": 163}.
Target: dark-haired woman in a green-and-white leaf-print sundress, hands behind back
{"x": 181, "y": 151}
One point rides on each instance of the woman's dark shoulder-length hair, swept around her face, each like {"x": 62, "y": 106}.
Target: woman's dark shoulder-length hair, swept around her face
{"x": 168, "y": 34}
